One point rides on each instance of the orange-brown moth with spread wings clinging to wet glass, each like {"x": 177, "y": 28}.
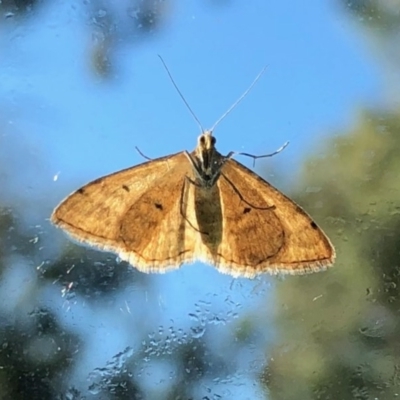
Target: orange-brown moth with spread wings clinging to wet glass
{"x": 198, "y": 205}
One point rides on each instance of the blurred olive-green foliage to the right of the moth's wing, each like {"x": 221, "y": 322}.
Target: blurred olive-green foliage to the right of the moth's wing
{"x": 339, "y": 329}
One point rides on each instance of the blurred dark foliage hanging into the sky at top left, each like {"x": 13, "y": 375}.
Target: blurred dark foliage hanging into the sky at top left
{"x": 113, "y": 25}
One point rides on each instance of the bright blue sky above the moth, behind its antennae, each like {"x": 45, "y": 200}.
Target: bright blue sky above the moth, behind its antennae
{"x": 318, "y": 71}
